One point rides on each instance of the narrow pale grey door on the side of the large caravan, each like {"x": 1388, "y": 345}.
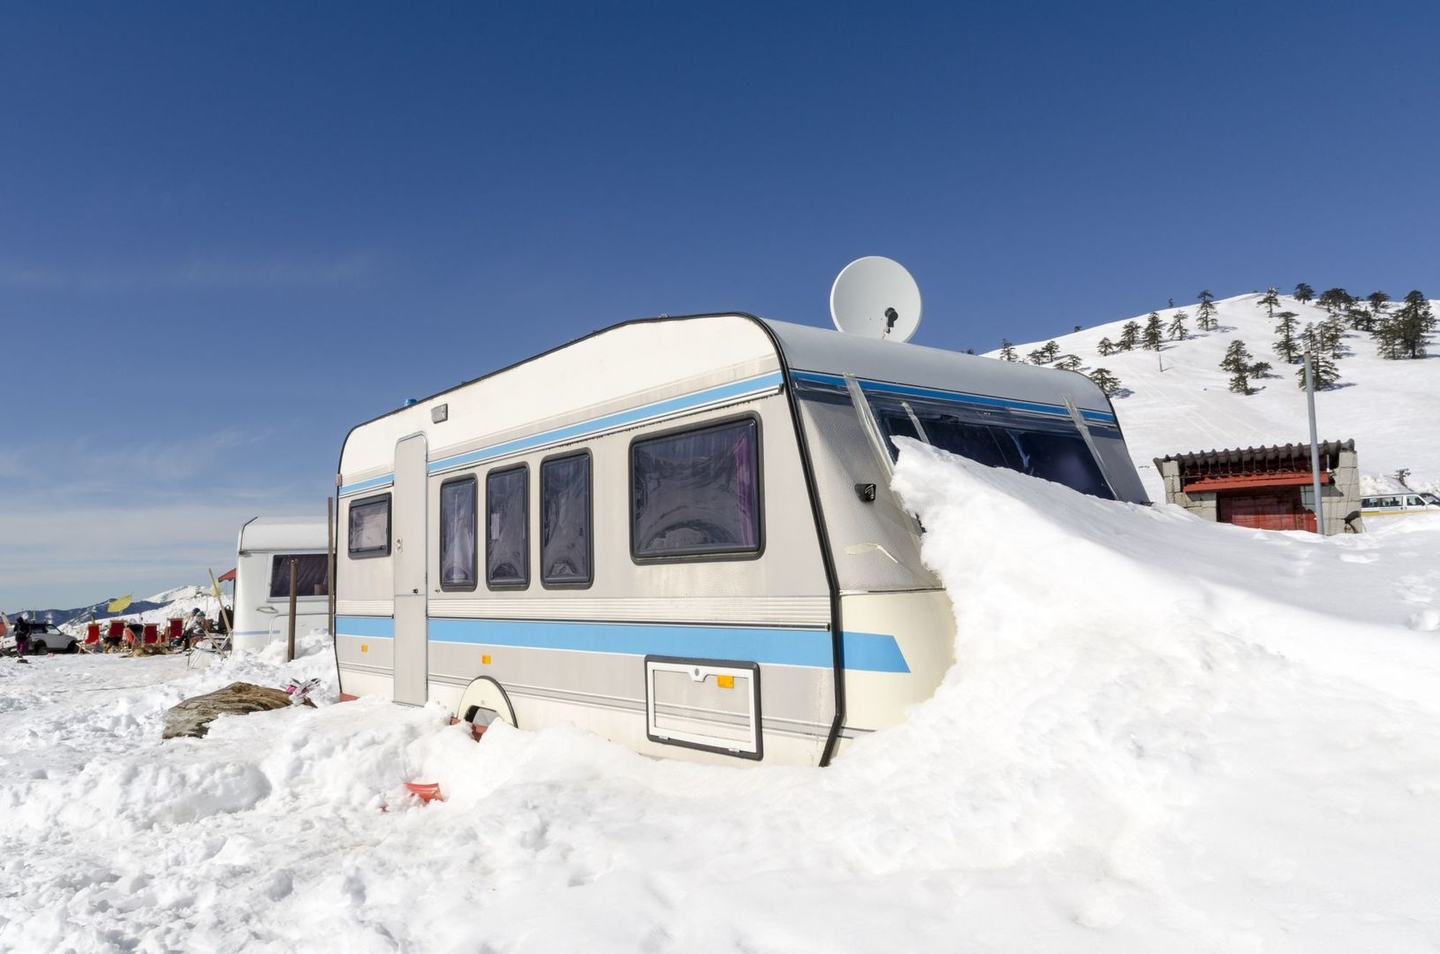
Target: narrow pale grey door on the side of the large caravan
{"x": 411, "y": 651}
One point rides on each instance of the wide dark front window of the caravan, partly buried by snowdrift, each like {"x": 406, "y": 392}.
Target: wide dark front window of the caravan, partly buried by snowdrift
{"x": 1046, "y": 447}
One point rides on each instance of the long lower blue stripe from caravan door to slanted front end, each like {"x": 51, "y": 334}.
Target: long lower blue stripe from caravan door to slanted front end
{"x": 872, "y": 652}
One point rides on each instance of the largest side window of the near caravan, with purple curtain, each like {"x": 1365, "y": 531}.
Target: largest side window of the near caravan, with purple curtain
{"x": 698, "y": 494}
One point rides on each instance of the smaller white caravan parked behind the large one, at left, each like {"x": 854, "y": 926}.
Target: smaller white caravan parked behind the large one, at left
{"x": 264, "y": 556}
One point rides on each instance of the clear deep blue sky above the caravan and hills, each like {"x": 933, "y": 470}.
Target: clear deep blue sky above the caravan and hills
{"x": 228, "y": 233}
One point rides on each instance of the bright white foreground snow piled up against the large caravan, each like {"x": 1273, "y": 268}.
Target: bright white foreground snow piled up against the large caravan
{"x": 1158, "y": 736}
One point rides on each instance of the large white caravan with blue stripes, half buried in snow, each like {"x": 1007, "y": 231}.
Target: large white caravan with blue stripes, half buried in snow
{"x": 680, "y": 534}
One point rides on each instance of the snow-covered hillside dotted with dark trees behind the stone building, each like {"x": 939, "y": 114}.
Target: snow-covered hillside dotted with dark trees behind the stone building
{"x": 1177, "y": 400}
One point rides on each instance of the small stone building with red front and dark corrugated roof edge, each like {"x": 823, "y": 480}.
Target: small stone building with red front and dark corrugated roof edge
{"x": 1268, "y": 488}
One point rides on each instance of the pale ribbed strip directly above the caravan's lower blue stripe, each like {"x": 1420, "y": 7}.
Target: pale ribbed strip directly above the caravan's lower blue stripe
{"x": 731, "y": 610}
